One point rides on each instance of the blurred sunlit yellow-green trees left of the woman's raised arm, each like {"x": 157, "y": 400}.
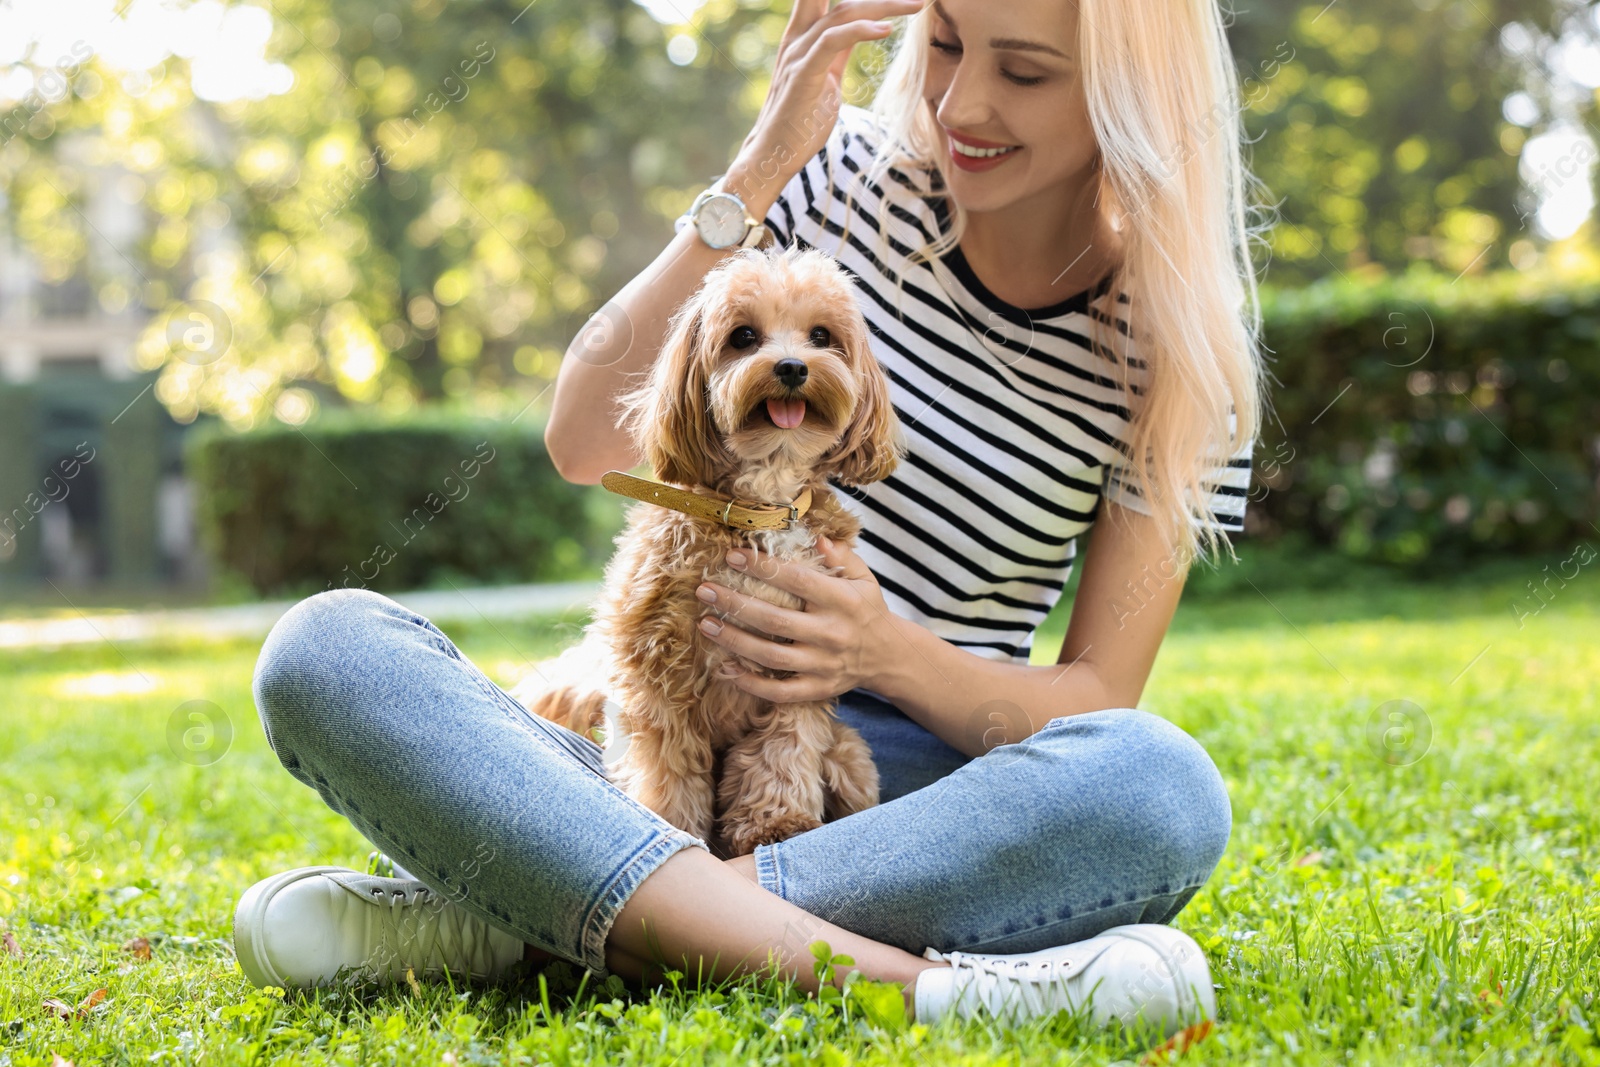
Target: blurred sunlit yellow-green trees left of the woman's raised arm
{"x": 433, "y": 209}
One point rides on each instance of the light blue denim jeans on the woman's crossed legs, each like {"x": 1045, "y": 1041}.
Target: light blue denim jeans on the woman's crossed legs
{"x": 1094, "y": 821}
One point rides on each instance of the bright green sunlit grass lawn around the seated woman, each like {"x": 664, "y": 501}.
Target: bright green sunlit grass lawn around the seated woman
{"x": 1385, "y": 898}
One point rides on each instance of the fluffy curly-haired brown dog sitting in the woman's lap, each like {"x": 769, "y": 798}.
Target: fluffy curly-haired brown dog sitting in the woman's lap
{"x": 766, "y": 388}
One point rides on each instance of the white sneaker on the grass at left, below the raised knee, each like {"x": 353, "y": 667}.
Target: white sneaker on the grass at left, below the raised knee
{"x": 308, "y": 925}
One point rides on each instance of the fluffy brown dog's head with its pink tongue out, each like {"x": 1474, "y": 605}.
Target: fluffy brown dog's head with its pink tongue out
{"x": 767, "y": 375}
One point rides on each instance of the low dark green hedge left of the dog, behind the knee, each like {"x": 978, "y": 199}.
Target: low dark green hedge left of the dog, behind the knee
{"x": 358, "y": 500}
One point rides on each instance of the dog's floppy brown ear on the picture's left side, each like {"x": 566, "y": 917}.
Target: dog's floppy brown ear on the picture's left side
{"x": 670, "y": 415}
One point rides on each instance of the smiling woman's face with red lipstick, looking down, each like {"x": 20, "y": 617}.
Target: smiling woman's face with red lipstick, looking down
{"x": 1007, "y": 97}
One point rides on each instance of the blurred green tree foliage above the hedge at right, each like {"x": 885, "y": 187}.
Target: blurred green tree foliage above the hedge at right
{"x": 1378, "y": 127}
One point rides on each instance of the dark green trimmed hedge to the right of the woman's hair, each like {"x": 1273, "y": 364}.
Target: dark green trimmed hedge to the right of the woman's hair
{"x": 1423, "y": 422}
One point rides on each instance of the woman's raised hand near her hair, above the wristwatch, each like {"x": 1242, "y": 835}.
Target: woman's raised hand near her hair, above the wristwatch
{"x": 806, "y": 95}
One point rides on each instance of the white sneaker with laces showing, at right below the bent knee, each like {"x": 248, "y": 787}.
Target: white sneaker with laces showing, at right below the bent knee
{"x": 1145, "y": 975}
